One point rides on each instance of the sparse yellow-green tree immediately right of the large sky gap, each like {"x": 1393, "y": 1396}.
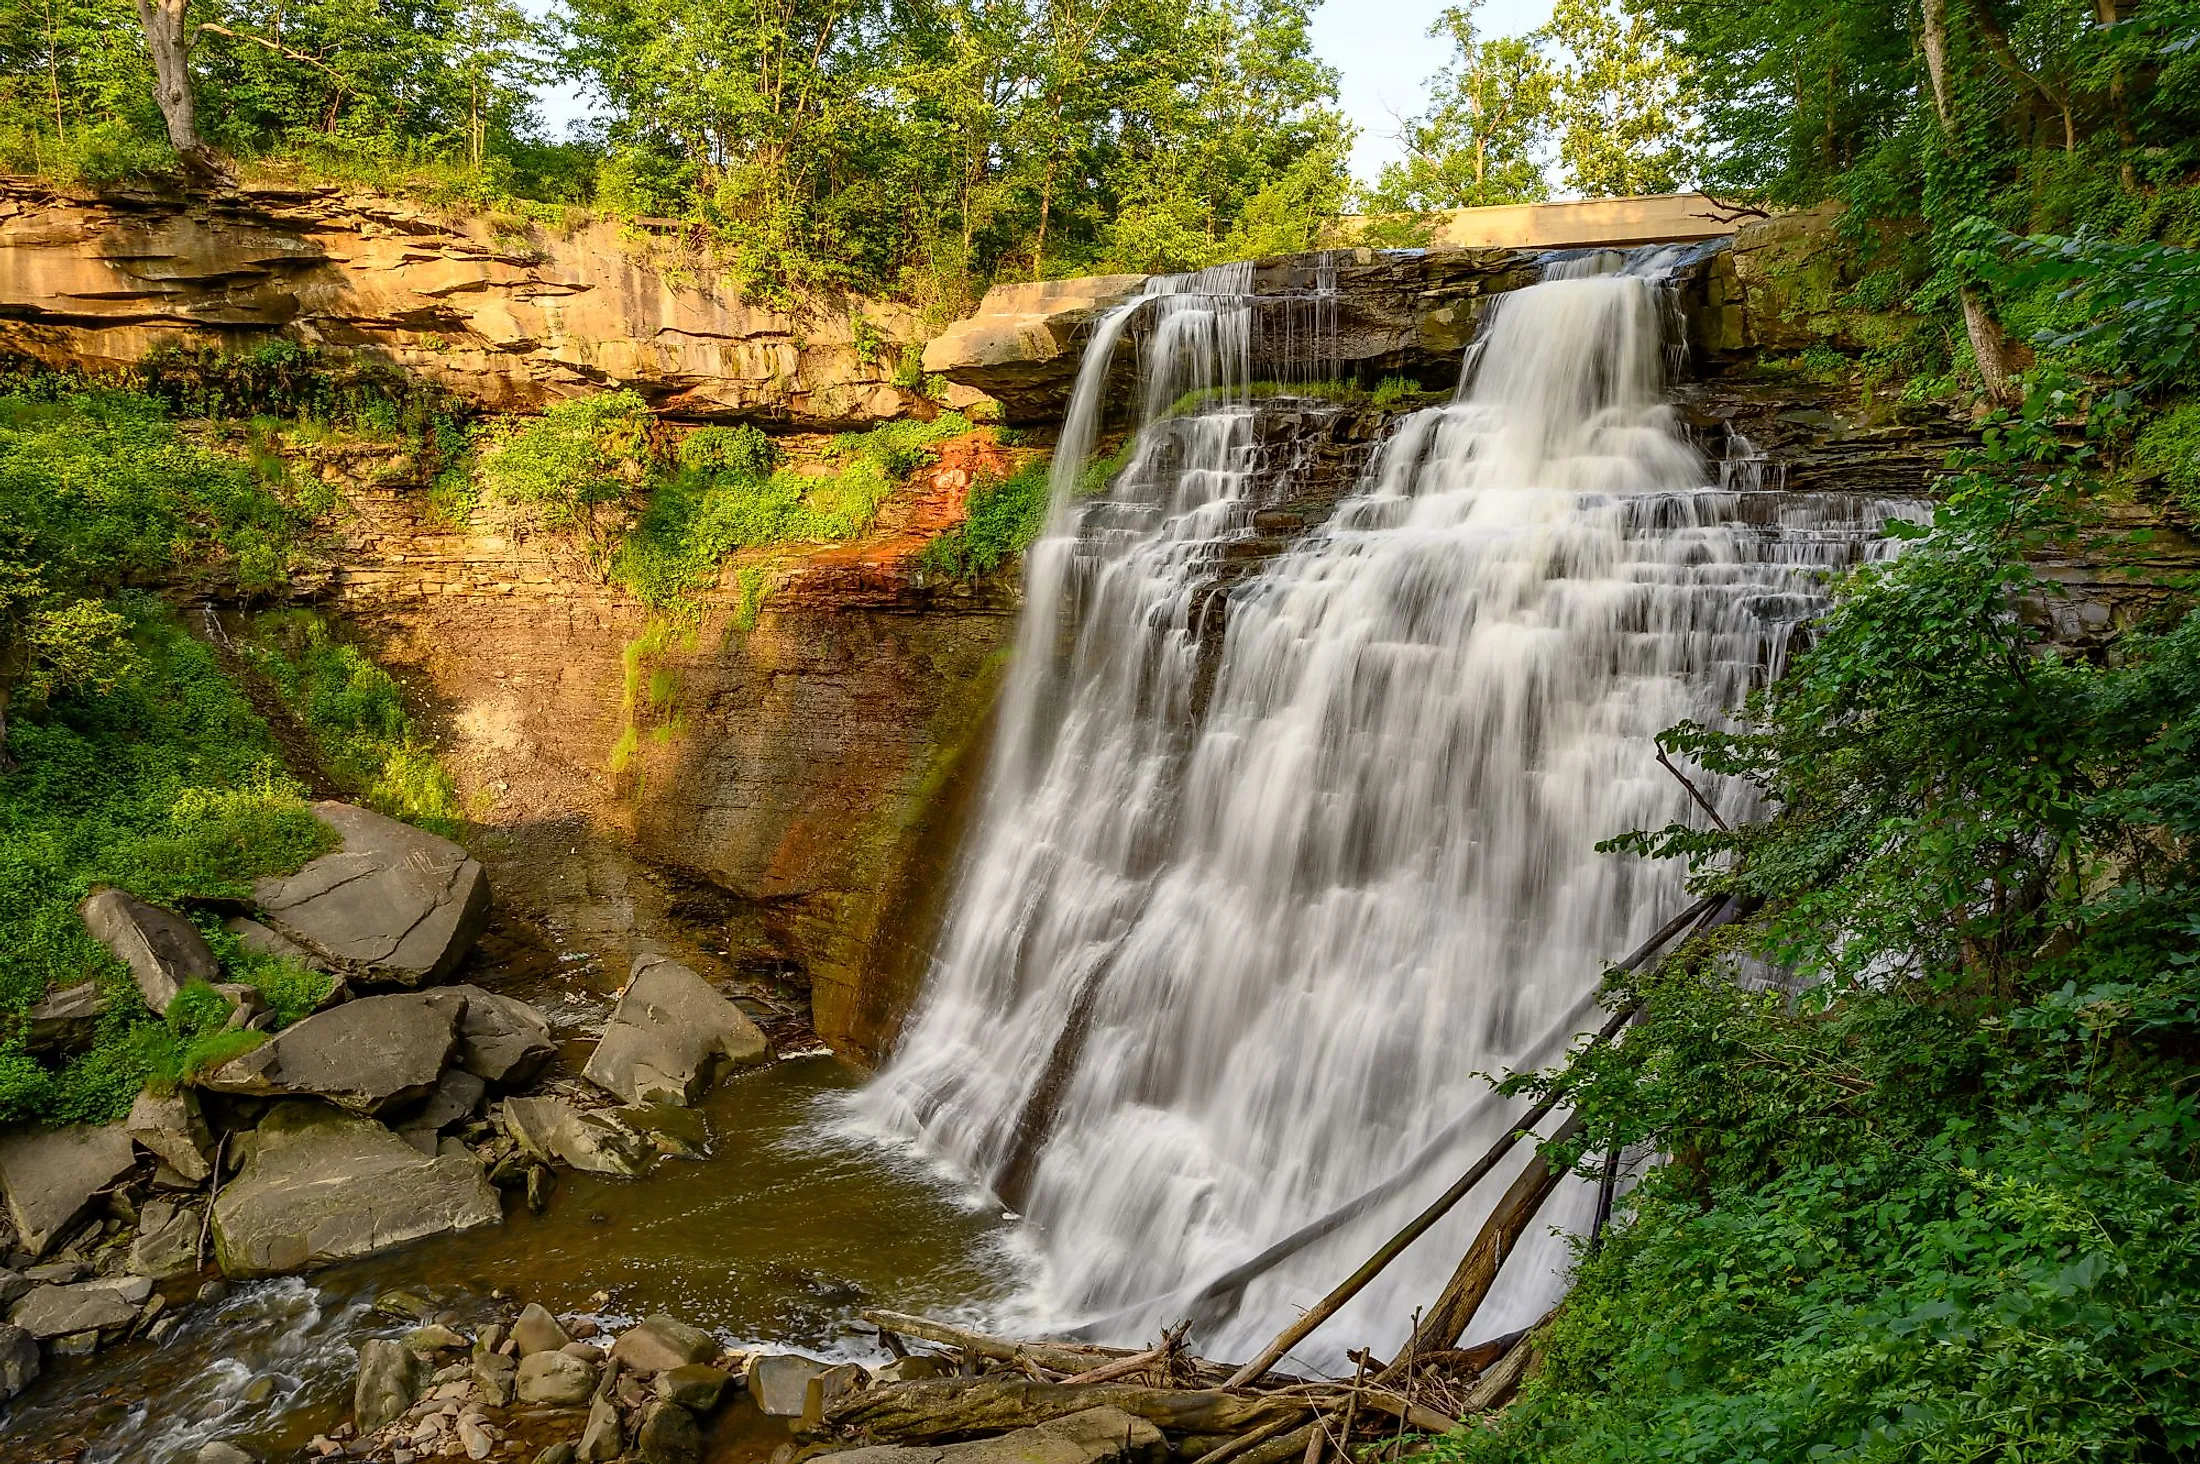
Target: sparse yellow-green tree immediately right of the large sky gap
{"x": 1490, "y": 116}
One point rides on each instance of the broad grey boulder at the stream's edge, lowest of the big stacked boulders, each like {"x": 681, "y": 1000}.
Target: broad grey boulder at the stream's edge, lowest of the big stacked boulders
{"x": 322, "y": 1186}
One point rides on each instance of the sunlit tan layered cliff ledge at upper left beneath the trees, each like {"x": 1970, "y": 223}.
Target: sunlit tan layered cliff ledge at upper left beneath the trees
{"x": 511, "y": 325}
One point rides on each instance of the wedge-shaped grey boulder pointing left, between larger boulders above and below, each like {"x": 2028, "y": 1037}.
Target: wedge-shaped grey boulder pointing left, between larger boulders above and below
{"x": 366, "y": 1056}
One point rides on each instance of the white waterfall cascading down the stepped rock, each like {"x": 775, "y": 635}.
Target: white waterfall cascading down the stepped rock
{"x": 1226, "y": 957}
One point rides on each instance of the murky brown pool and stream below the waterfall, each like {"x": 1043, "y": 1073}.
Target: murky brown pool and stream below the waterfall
{"x": 793, "y": 1225}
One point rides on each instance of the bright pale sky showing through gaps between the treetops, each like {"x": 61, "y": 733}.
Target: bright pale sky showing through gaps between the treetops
{"x": 1380, "y": 50}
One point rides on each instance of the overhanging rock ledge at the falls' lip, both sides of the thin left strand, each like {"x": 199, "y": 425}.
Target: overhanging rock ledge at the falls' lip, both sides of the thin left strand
{"x": 1341, "y": 314}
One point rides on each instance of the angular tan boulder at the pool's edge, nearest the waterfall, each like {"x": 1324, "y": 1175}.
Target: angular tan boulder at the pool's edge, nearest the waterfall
{"x": 672, "y": 1036}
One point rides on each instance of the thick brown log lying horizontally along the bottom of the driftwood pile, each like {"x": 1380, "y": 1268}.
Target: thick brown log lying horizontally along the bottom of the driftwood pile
{"x": 949, "y": 1410}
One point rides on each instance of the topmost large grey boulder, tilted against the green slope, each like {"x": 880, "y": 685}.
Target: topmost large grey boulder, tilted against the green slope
{"x": 393, "y": 906}
